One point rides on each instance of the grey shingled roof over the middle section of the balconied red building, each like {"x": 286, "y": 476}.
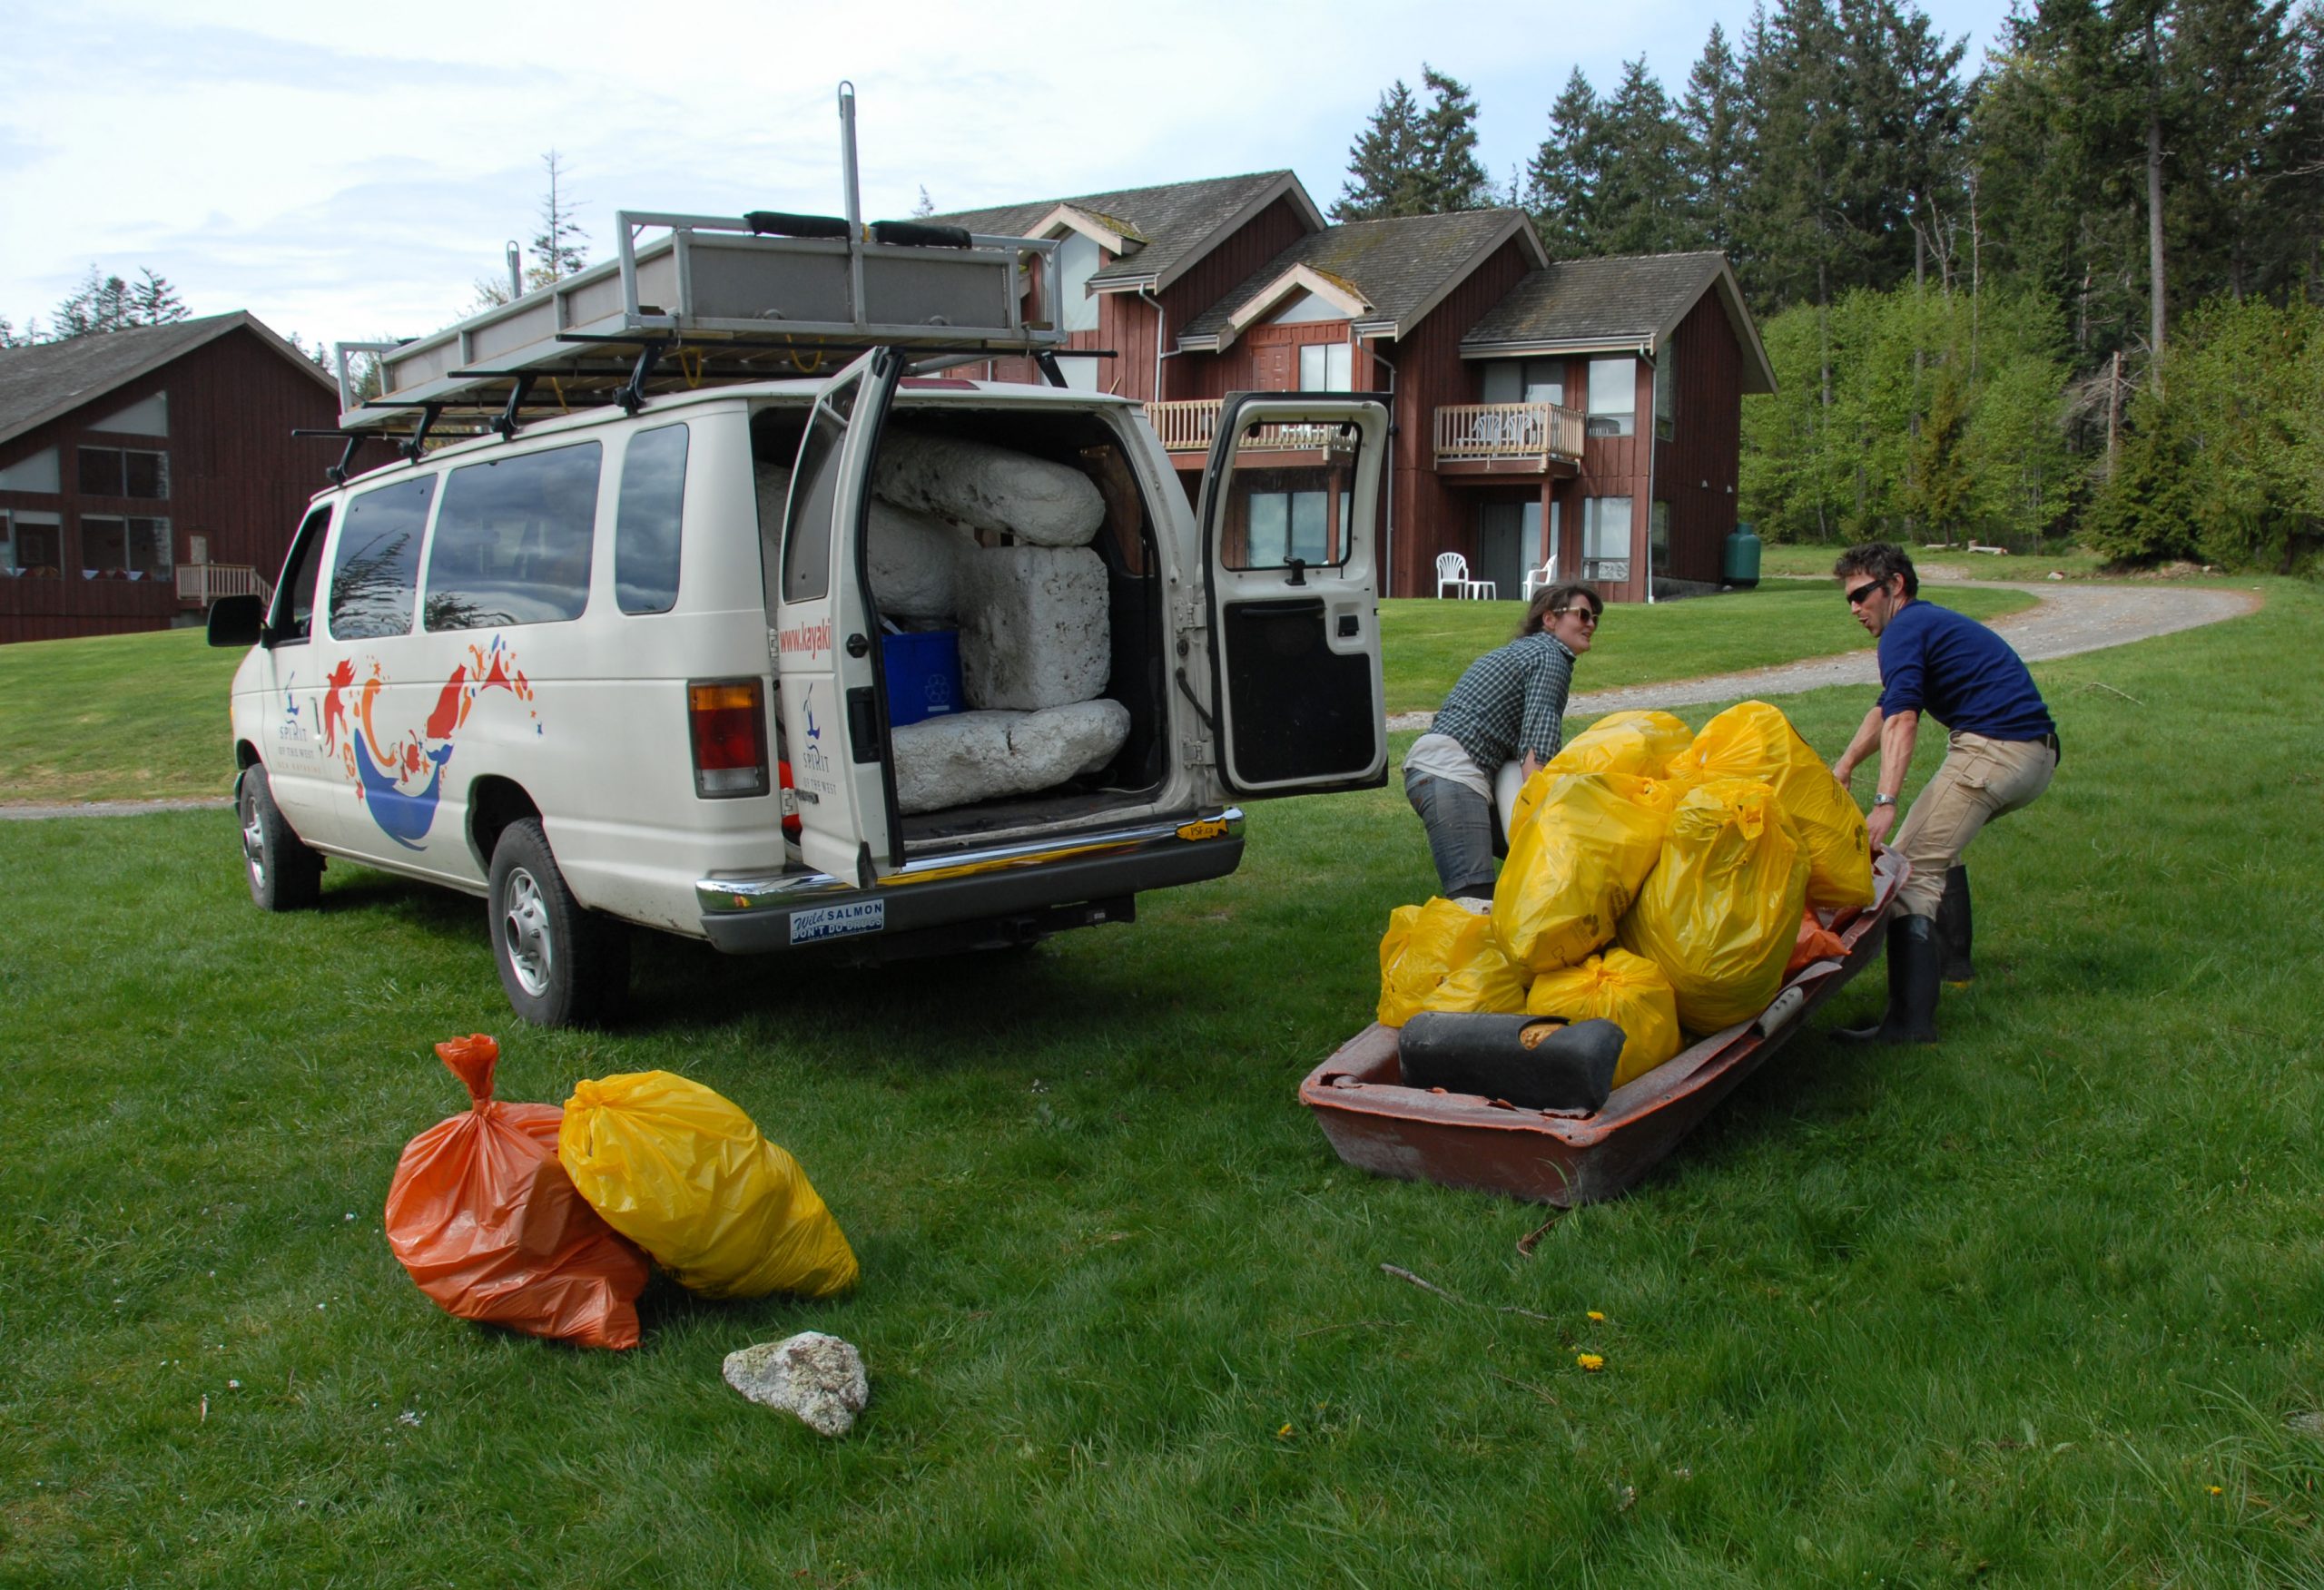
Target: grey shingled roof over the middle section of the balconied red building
{"x": 1400, "y": 268}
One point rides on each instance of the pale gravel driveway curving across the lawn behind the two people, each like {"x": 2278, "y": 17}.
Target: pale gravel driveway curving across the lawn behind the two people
{"x": 2070, "y": 619}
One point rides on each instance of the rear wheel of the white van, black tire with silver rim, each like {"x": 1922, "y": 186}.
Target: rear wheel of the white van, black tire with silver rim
{"x": 559, "y": 964}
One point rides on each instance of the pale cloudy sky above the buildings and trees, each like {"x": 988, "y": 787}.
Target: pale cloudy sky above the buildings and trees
{"x": 352, "y": 173}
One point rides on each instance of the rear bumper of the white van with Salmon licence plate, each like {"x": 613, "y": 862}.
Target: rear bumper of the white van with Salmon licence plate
{"x": 794, "y": 910}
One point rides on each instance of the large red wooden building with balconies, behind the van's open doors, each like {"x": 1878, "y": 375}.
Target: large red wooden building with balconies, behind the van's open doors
{"x": 1584, "y": 413}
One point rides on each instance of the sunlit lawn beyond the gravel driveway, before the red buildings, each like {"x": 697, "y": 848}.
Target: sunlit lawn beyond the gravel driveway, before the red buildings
{"x": 143, "y": 717}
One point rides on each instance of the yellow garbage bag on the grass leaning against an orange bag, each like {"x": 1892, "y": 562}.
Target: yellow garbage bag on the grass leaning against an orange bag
{"x": 687, "y": 1177}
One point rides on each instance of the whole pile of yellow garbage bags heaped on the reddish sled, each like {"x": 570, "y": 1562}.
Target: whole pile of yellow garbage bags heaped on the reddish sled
{"x": 1695, "y": 852}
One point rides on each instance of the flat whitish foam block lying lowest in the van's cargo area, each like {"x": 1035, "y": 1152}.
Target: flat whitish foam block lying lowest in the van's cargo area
{"x": 973, "y": 757}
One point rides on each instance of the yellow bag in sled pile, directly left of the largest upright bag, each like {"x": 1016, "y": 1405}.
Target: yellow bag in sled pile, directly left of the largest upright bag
{"x": 1575, "y": 868}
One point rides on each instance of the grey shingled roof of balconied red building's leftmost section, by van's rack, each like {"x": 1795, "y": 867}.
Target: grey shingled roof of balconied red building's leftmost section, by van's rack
{"x": 1163, "y": 229}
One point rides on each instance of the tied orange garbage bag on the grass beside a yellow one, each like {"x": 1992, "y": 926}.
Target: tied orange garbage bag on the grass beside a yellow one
{"x": 494, "y": 1229}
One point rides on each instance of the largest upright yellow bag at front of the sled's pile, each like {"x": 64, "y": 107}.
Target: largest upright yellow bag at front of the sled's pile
{"x": 1723, "y": 908}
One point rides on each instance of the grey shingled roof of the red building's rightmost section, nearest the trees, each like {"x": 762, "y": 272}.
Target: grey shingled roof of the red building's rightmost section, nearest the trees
{"x": 1626, "y": 303}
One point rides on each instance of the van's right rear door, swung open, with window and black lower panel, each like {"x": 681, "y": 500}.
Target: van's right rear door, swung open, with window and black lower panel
{"x": 1291, "y": 550}
